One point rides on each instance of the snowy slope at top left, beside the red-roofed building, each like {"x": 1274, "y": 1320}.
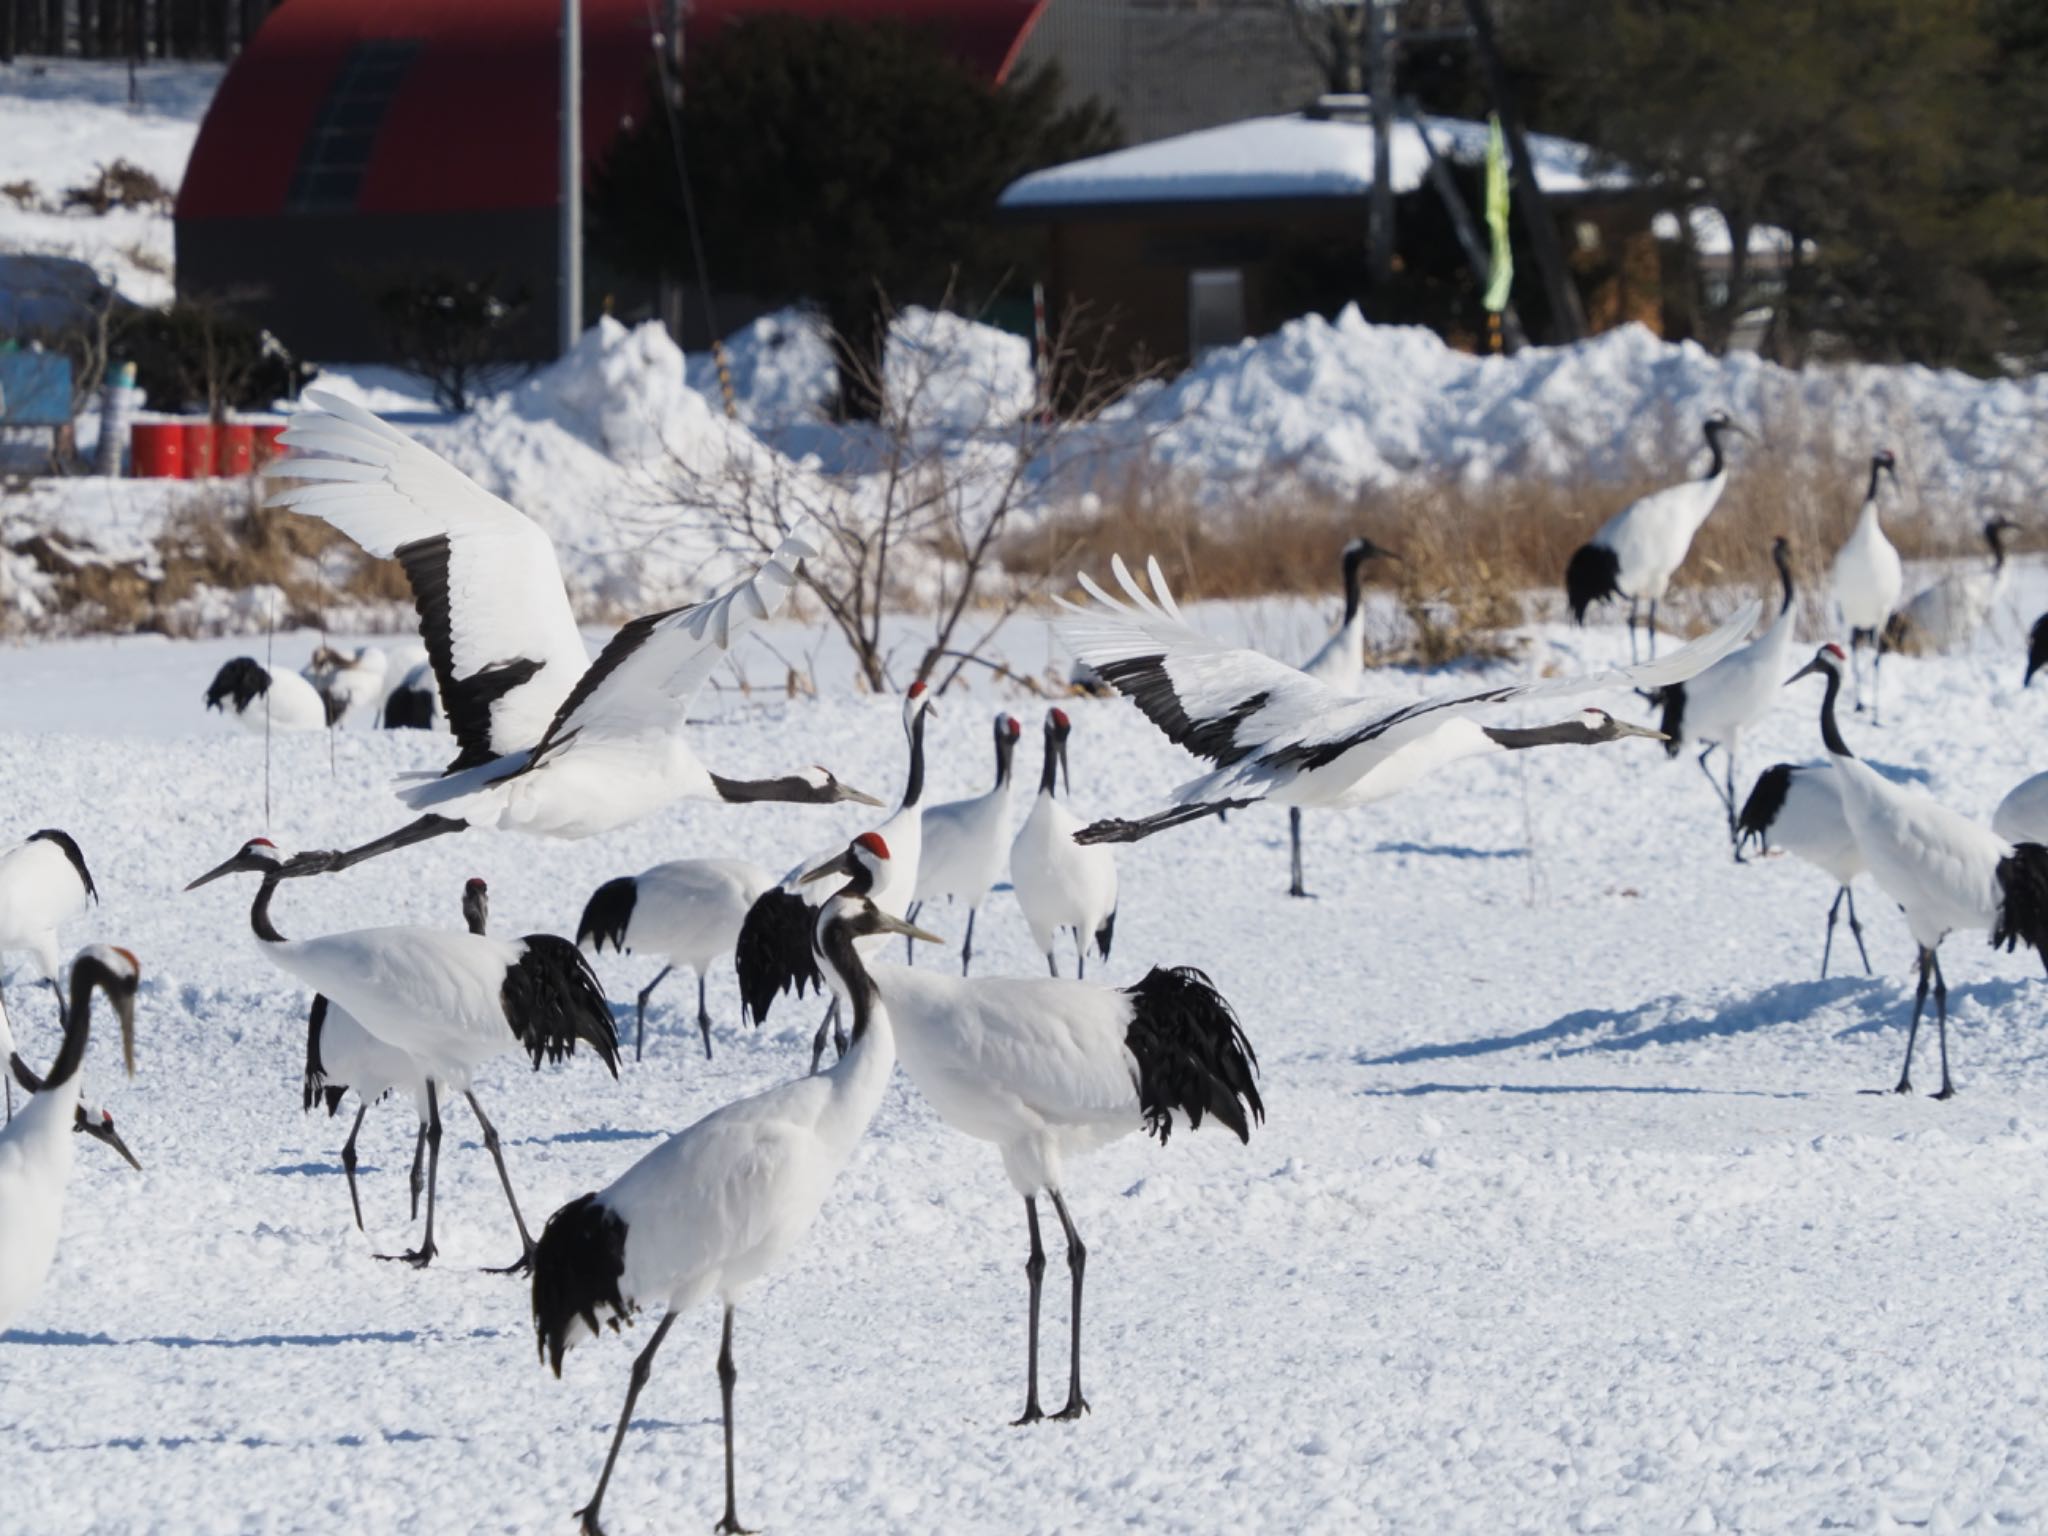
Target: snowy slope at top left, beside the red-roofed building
{"x": 60, "y": 122}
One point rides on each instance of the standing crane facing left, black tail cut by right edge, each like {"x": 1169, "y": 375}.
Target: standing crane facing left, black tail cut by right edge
{"x": 1943, "y": 869}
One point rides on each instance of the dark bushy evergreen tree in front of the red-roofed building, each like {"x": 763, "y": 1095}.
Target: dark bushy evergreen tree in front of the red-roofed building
{"x": 847, "y": 165}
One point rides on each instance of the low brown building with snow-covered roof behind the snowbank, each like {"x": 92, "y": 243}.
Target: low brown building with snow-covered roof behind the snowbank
{"x": 1211, "y": 237}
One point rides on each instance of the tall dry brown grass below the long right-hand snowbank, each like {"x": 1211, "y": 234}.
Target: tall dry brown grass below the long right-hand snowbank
{"x": 1484, "y": 558}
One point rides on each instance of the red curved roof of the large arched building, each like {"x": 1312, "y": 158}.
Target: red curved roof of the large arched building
{"x": 472, "y": 122}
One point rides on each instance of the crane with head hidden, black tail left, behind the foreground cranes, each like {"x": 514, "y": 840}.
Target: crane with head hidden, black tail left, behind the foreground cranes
{"x": 689, "y": 912}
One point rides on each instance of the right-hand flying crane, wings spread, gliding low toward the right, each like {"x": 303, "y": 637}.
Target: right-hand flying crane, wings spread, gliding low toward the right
{"x": 1277, "y": 734}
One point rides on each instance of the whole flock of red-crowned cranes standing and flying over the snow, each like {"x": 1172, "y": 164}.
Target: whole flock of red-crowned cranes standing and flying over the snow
{"x": 550, "y": 742}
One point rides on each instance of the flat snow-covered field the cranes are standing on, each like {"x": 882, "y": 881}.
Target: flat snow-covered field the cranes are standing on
{"x": 1570, "y": 1213}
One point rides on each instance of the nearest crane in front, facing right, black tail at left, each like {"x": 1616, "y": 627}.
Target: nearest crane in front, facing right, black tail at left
{"x": 720, "y": 1205}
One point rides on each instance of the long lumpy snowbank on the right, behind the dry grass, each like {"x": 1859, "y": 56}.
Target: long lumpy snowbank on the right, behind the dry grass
{"x": 1355, "y": 407}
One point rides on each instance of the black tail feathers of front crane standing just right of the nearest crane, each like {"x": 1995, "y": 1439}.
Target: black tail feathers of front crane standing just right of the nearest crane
{"x": 1193, "y": 1056}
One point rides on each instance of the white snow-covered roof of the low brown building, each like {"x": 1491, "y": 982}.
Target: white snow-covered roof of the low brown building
{"x": 1291, "y": 157}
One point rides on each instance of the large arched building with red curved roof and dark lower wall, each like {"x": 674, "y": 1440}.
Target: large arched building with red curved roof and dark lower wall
{"x": 364, "y": 142}
